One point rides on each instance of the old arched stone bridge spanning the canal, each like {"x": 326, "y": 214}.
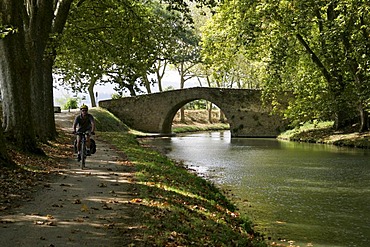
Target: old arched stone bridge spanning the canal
{"x": 155, "y": 112}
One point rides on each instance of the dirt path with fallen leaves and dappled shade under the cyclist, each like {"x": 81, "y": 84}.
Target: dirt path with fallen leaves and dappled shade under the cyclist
{"x": 87, "y": 207}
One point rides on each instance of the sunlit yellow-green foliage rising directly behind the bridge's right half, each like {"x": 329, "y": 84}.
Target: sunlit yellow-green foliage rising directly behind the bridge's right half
{"x": 225, "y": 60}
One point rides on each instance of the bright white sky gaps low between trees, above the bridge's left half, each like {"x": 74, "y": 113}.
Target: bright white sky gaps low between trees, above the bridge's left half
{"x": 171, "y": 78}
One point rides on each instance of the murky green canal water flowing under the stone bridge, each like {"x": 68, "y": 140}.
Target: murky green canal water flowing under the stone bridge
{"x": 309, "y": 194}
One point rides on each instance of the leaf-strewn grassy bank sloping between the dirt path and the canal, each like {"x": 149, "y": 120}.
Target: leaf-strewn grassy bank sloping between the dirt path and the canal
{"x": 178, "y": 207}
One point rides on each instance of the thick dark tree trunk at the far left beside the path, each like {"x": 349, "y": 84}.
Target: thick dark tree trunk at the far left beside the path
{"x": 16, "y": 91}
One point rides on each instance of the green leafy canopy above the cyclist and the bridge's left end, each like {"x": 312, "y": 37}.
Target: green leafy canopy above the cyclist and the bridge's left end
{"x": 123, "y": 45}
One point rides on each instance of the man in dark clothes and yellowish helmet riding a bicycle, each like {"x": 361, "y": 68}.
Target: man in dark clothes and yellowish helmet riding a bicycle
{"x": 85, "y": 123}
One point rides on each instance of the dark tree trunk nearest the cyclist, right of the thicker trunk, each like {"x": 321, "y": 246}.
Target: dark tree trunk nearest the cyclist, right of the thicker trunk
{"x": 37, "y": 33}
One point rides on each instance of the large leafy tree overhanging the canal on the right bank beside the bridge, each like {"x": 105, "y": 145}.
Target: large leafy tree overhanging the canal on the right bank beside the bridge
{"x": 312, "y": 48}
